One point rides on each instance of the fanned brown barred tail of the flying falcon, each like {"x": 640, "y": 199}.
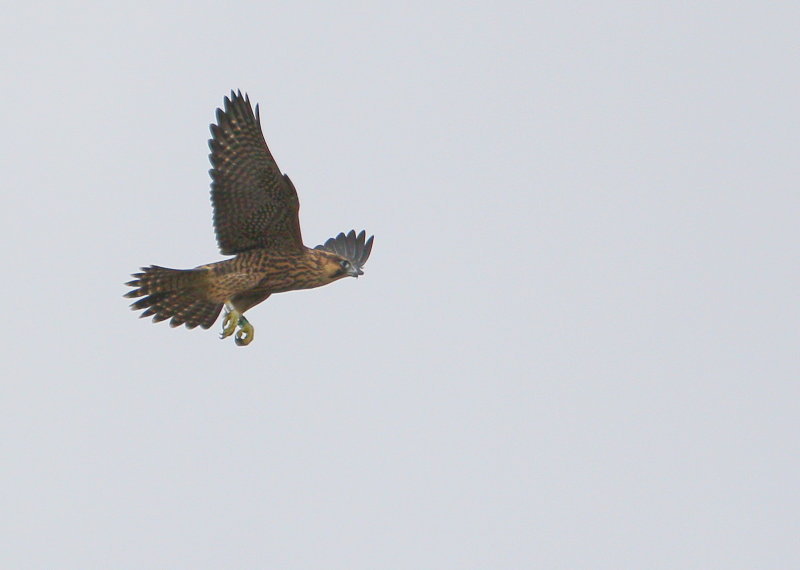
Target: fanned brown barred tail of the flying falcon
{"x": 175, "y": 294}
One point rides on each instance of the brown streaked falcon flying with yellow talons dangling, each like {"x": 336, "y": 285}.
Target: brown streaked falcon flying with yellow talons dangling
{"x": 256, "y": 220}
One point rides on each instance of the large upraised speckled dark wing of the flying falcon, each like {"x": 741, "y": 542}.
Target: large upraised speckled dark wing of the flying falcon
{"x": 255, "y": 205}
